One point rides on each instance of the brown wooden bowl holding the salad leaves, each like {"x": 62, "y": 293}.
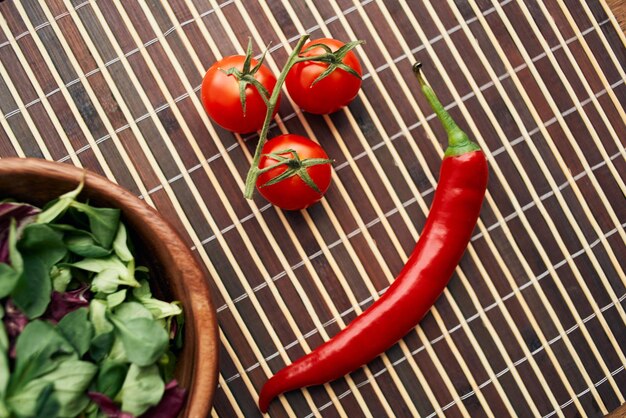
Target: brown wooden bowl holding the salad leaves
{"x": 174, "y": 271}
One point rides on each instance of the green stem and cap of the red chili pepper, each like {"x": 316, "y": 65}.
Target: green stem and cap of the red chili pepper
{"x": 458, "y": 141}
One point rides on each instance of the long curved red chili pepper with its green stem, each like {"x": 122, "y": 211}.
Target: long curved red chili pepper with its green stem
{"x": 452, "y": 218}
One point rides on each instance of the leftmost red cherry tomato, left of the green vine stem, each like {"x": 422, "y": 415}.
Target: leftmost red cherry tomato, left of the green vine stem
{"x": 220, "y": 95}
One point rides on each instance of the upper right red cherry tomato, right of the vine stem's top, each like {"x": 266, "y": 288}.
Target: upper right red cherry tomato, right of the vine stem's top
{"x": 329, "y": 94}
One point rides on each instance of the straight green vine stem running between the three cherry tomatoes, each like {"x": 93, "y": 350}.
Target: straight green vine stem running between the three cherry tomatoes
{"x": 254, "y": 171}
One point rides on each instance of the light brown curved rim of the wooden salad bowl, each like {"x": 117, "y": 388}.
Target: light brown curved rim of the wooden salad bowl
{"x": 205, "y": 350}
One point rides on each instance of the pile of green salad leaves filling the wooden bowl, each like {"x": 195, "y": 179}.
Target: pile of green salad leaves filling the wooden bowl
{"x": 120, "y": 348}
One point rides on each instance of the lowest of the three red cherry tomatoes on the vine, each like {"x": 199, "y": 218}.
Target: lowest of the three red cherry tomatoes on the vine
{"x": 293, "y": 193}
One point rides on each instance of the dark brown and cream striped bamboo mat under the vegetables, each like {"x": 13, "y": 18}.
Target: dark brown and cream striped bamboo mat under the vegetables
{"x": 532, "y": 323}
